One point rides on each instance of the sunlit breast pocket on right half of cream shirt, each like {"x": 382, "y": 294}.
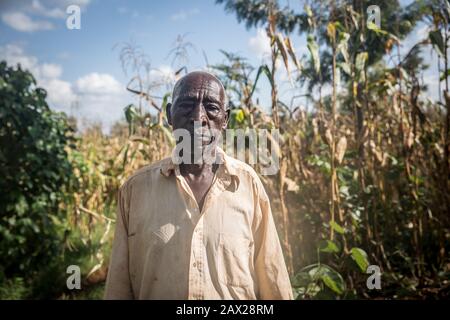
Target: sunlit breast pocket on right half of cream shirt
{"x": 234, "y": 260}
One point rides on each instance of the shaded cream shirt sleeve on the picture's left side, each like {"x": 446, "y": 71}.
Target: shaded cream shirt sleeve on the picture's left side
{"x": 118, "y": 284}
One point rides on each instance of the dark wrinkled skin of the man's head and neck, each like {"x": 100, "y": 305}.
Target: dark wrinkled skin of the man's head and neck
{"x": 198, "y": 96}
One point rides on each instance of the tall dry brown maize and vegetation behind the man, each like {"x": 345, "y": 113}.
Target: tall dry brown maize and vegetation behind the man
{"x": 364, "y": 171}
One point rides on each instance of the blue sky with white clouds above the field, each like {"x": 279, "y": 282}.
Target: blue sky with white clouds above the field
{"x": 81, "y": 66}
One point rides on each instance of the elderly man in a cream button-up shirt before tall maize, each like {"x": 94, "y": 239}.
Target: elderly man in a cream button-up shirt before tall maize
{"x": 196, "y": 230}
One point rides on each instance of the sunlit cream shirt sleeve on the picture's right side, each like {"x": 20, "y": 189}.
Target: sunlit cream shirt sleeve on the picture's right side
{"x": 271, "y": 273}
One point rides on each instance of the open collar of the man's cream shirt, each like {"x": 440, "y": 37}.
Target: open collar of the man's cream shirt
{"x": 226, "y": 172}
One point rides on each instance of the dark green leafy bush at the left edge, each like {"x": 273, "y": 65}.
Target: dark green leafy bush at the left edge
{"x": 35, "y": 171}
